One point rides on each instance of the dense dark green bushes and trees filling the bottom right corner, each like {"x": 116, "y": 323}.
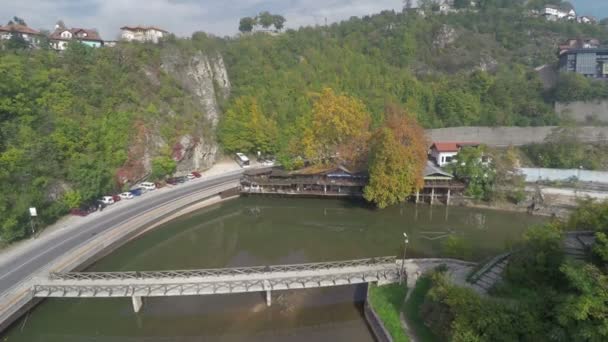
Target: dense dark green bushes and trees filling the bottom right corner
{"x": 546, "y": 296}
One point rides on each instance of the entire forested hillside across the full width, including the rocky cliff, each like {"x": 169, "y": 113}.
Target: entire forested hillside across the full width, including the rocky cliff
{"x": 83, "y": 123}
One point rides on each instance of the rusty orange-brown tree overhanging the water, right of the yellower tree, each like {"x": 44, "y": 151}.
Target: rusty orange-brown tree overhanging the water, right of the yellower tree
{"x": 397, "y": 160}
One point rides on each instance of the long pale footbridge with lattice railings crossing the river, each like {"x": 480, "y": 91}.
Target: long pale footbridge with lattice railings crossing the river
{"x": 136, "y": 285}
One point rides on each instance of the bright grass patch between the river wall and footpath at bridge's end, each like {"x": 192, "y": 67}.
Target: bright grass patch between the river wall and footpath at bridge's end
{"x": 387, "y": 301}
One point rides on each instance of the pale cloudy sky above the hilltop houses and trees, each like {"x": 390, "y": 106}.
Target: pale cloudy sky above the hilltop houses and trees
{"x": 220, "y": 17}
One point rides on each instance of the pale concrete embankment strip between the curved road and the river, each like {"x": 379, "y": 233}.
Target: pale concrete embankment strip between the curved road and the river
{"x": 19, "y": 299}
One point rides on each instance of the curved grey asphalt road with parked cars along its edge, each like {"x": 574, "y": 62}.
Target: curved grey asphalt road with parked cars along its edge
{"x": 54, "y": 246}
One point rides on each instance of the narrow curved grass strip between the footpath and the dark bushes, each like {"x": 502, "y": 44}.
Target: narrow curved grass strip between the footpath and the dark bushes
{"x": 412, "y": 310}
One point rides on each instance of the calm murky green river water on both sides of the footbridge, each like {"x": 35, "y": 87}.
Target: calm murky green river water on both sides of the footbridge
{"x": 263, "y": 231}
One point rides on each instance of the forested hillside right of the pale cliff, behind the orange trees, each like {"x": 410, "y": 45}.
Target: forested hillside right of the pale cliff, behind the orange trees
{"x": 468, "y": 68}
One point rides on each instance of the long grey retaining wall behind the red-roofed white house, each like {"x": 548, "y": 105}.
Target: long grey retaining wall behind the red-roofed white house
{"x": 505, "y": 136}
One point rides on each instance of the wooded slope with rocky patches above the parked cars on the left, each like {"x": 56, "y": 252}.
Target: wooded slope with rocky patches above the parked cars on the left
{"x": 86, "y": 122}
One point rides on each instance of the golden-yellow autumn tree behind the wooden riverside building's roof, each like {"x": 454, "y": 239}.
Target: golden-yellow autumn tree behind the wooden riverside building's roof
{"x": 339, "y": 128}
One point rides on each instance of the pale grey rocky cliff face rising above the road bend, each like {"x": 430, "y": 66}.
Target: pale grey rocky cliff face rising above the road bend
{"x": 191, "y": 142}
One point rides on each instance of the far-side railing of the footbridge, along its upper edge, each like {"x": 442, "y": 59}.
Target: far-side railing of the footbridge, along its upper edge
{"x": 218, "y": 272}
